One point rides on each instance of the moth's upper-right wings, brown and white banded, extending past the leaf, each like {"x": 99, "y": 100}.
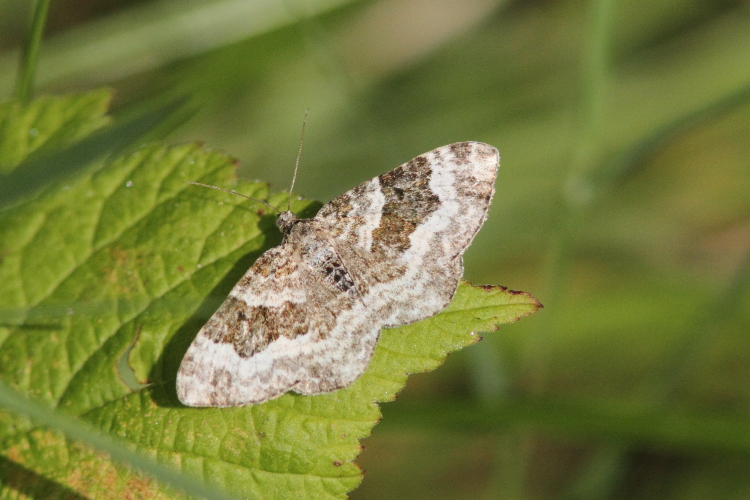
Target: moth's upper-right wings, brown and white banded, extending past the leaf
{"x": 405, "y": 231}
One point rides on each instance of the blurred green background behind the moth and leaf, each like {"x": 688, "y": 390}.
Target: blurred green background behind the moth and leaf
{"x": 623, "y": 205}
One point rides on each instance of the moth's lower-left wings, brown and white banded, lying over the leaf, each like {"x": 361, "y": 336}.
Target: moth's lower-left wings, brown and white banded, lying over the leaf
{"x": 277, "y": 331}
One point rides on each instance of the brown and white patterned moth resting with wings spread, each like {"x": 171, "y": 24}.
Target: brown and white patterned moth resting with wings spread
{"x": 307, "y": 315}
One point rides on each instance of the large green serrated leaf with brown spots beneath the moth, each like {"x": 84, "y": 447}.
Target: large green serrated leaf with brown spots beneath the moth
{"x": 107, "y": 278}
